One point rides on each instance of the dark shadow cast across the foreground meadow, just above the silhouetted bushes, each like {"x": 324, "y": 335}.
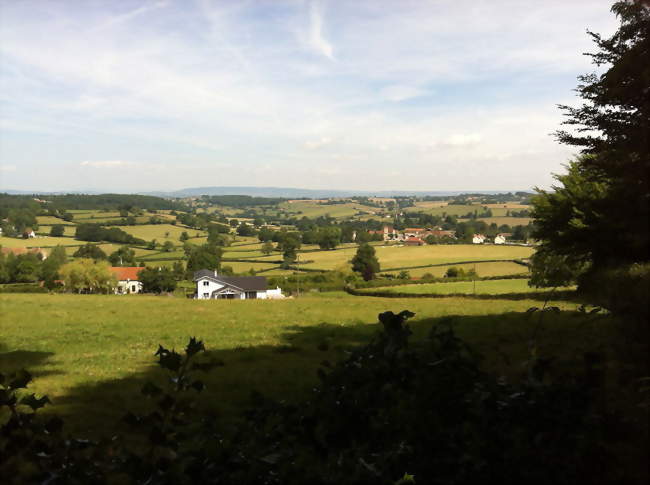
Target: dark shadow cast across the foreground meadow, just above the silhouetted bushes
{"x": 287, "y": 371}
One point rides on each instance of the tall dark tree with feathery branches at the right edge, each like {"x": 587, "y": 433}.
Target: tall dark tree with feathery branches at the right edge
{"x": 597, "y": 216}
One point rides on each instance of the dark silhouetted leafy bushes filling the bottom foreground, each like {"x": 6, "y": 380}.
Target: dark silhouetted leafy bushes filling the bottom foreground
{"x": 387, "y": 412}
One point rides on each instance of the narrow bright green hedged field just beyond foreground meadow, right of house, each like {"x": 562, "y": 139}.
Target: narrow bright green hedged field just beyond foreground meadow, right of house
{"x": 485, "y": 287}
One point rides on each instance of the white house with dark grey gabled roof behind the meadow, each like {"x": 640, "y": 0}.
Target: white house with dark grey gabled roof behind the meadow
{"x": 209, "y": 285}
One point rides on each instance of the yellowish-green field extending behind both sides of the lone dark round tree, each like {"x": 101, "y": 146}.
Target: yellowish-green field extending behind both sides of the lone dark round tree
{"x": 405, "y": 256}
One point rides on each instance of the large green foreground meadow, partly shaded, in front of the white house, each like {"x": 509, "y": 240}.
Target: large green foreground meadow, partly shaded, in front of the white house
{"x": 91, "y": 354}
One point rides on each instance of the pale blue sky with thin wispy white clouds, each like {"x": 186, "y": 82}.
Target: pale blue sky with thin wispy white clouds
{"x": 367, "y": 95}
